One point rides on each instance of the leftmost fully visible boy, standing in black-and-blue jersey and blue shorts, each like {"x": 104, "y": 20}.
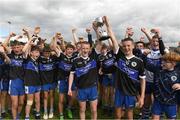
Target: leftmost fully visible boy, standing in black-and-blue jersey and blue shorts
{"x": 16, "y": 83}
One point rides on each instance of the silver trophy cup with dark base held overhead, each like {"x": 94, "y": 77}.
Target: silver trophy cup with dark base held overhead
{"x": 102, "y": 33}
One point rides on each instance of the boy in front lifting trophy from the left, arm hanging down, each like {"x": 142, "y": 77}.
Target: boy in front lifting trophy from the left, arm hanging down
{"x": 84, "y": 73}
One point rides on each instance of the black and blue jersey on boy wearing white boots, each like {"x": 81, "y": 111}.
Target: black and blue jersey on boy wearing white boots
{"x": 47, "y": 69}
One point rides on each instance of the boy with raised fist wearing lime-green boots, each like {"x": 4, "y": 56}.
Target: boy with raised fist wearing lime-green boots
{"x": 64, "y": 64}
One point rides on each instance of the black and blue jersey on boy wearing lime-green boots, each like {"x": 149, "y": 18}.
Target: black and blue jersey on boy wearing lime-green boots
{"x": 64, "y": 66}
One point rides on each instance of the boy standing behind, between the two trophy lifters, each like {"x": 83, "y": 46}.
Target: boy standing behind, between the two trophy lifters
{"x": 106, "y": 61}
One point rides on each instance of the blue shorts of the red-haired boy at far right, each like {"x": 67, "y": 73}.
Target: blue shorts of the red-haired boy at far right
{"x": 159, "y": 108}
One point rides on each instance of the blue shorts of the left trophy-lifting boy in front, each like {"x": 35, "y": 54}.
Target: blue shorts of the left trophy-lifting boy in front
{"x": 87, "y": 94}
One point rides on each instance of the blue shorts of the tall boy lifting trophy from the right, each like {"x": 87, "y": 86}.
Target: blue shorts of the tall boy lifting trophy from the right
{"x": 124, "y": 100}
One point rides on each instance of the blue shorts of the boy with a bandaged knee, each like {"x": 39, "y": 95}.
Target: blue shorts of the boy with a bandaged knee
{"x": 32, "y": 89}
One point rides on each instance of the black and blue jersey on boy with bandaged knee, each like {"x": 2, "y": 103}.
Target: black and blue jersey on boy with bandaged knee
{"x": 31, "y": 75}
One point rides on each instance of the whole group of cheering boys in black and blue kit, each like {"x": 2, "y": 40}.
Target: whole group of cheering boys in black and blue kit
{"x": 116, "y": 75}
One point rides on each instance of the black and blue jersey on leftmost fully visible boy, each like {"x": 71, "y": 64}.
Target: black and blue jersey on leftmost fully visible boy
{"x": 16, "y": 66}
